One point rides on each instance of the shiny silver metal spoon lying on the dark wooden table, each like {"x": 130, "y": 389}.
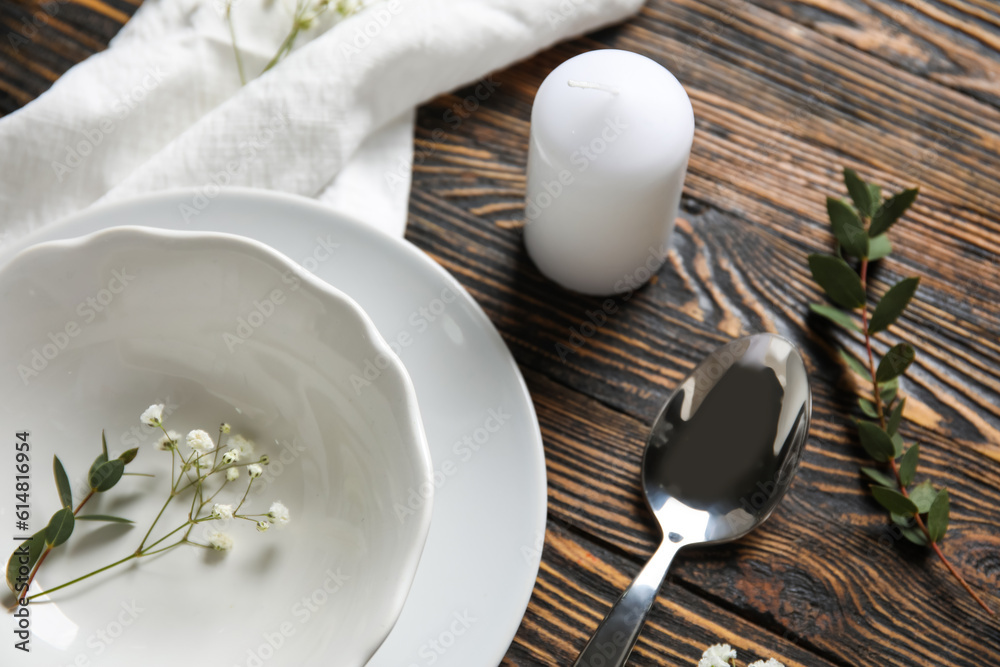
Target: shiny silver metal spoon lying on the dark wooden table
{"x": 719, "y": 457}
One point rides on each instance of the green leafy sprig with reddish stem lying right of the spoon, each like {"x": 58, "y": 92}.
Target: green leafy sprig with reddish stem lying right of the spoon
{"x": 860, "y": 227}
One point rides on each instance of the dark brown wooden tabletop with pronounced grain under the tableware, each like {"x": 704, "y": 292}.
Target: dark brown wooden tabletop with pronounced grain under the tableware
{"x": 785, "y": 94}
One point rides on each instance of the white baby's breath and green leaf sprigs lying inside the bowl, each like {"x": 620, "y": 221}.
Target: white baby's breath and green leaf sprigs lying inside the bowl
{"x": 203, "y": 471}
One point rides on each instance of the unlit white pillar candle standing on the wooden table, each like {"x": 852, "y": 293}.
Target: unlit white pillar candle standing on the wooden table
{"x": 611, "y": 133}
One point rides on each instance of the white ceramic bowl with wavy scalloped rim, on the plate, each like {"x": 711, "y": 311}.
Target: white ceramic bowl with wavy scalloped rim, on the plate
{"x": 219, "y": 328}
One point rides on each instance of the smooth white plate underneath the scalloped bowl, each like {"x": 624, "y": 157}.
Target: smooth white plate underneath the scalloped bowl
{"x": 482, "y": 555}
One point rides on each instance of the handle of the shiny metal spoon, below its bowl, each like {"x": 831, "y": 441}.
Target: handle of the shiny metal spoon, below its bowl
{"x": 614, "y": 638}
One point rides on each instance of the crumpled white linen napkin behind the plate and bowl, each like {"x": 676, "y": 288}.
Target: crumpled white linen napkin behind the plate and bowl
{"x": 163, "y": 106}
